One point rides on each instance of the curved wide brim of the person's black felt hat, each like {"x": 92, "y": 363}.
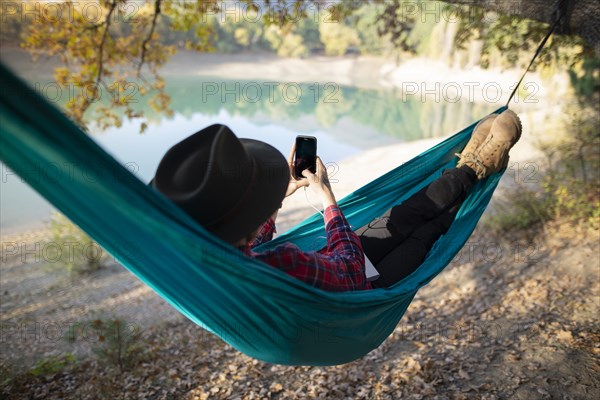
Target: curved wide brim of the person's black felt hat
{"x": 271, "y": 179}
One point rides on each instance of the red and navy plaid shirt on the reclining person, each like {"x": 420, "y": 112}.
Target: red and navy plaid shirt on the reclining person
{"x": 339, "y": 266}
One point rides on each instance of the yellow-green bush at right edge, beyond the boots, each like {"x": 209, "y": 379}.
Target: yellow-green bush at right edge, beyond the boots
{"x": 569, "y": 190}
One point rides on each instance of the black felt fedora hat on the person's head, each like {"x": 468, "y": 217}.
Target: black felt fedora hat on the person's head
{"x": 229, "y": 185}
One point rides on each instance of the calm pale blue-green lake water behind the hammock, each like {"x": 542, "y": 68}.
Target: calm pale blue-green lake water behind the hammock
{"x": 346, "y": 121}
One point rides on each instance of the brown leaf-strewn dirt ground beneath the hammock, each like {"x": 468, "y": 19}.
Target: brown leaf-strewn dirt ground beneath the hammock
{"x": 514, "y": 318}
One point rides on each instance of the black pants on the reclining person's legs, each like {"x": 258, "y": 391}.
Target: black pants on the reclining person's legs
{"x": 398, "y": 242}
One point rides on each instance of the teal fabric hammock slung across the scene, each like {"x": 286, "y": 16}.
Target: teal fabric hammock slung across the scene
{"x": 257, "y": 309}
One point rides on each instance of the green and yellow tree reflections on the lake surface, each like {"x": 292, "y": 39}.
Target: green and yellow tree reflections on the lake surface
{"x": 357, "y": 116}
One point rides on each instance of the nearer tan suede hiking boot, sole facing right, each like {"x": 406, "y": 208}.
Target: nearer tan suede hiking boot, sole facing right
{"x": 492, "y": 155}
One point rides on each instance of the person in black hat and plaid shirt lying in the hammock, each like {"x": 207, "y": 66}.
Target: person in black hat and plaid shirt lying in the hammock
{"x": 232, "y": 186}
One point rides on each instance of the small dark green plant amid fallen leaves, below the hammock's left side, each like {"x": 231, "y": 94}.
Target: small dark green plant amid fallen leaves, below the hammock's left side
{"x": 115, "y": 342}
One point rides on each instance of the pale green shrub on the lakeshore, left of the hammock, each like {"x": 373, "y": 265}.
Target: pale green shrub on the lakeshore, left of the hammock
{"x": 71, "y": 248}
